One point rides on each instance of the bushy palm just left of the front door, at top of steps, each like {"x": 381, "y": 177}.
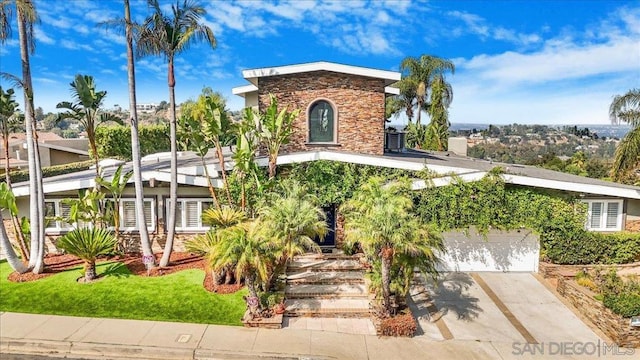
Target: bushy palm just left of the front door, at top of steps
{"x": 294, "y": 220}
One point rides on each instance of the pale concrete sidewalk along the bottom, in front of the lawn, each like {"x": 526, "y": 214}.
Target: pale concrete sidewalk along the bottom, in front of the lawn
{"x": 133, "y": 339}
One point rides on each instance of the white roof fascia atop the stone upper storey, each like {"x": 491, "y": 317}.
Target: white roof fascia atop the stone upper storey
{"x": 253, "y": 74}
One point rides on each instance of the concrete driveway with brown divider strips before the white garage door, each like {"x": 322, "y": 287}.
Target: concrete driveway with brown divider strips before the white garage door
{"x": 510, "y": 310}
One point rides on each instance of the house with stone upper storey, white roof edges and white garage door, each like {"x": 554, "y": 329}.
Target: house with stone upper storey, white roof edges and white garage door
{"x": 342, "y": 119}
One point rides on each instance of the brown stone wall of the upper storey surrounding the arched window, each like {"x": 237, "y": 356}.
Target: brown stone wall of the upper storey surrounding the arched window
{"x": 359, "y": 103}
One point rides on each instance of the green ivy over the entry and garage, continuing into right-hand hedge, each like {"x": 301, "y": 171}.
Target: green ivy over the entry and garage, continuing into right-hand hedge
{"x": 557, "y": 217}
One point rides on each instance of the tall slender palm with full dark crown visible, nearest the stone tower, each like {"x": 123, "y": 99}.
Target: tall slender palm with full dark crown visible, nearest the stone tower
{"x": 169, "y": 35}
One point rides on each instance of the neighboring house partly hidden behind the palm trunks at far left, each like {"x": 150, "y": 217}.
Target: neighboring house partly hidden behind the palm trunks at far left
{"x": 54, "y": 150}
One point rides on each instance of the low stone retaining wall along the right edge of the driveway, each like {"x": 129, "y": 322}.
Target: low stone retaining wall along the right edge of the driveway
{"x": 615, "y": 326}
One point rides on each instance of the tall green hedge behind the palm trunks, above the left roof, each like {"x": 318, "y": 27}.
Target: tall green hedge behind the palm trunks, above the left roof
{"x": 115, "y": 141}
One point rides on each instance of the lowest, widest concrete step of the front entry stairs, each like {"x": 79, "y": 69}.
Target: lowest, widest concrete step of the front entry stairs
{"x": 327, "y": 307}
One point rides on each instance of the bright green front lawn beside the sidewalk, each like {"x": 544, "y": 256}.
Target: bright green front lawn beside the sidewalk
{"x": 119, "y": 294}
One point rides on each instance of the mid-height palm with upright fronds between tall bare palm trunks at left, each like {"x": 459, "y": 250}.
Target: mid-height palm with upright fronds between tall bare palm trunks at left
{"x": 86, "y": 110}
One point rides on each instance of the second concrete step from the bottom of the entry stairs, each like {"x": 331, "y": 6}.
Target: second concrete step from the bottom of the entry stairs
{"x": 320, "y": 291}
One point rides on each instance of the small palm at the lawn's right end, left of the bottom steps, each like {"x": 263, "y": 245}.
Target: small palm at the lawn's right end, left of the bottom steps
{"x": 246, "y": 247}
